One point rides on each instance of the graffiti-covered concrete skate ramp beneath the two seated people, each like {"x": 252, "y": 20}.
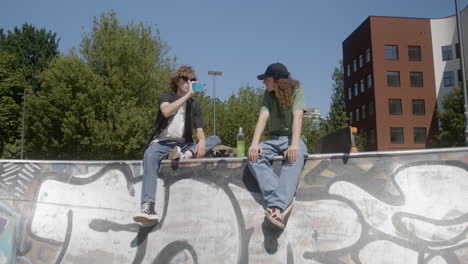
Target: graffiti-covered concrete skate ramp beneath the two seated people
{"x": 358, "y": 208}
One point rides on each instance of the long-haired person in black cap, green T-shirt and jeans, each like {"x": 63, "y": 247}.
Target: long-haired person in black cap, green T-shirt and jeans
{"x": 283, "y": 104}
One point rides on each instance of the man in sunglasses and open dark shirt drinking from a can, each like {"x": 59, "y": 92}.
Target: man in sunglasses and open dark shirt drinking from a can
{"x": 178, "y": 113}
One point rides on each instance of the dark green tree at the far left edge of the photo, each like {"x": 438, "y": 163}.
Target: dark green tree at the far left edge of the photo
{"x": 24, "y": 53}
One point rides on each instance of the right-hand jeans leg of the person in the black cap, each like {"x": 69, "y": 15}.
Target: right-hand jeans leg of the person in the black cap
{"x": 290, "y": 173}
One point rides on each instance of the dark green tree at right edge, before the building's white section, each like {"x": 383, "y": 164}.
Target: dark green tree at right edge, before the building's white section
{"x": 452, "y": 121}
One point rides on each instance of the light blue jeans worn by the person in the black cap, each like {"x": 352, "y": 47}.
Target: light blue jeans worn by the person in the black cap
{"x": 278, "y": 190}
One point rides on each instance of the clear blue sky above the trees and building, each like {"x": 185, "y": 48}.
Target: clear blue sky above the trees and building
{"x": 240, "y": 38}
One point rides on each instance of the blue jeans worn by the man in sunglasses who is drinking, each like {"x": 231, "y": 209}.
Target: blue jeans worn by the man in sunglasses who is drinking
{"x": 152, "y": 159}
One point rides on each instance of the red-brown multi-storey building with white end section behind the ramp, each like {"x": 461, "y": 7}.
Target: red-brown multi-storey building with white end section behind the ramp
{"x": 396, "y": 72}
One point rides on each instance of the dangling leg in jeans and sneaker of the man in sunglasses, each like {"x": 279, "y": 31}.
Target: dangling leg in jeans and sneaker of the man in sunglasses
{"x": 151, "y": 161}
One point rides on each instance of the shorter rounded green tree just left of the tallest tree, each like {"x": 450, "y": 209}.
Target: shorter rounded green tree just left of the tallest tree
{"x": 64, "y": 111}
